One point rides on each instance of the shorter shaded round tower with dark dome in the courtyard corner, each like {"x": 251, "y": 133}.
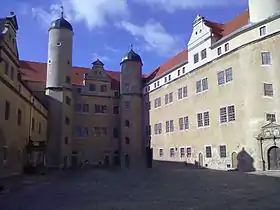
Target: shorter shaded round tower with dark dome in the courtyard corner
{"x": 131, "y": 142}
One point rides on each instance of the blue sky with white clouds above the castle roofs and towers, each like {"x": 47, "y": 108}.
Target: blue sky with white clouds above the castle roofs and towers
{"x": 158, "y": 29}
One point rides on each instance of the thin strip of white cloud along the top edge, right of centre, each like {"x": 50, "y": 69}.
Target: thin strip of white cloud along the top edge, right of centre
{"x": 173, "y": 5}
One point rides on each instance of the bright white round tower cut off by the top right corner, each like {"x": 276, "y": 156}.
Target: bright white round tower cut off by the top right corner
{"x": 261, "y": 9}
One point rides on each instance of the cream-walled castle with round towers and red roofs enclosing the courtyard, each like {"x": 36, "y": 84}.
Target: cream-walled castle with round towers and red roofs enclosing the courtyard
{"x": 214, "y": 104}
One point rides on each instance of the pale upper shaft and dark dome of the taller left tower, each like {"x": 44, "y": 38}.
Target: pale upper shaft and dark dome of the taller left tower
{"x": 59, "y": 54}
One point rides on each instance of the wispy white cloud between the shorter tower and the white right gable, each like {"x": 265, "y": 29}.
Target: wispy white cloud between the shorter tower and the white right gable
{"x": 155, "y": 37}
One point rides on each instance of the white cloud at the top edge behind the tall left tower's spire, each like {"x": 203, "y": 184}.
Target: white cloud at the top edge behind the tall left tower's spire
{"x": 94, "y": 13}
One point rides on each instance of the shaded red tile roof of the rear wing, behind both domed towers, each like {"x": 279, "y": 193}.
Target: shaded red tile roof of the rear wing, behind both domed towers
{"x": 37, "y": 72}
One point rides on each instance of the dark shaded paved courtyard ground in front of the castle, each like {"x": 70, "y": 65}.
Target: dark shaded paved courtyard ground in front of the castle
{"x": 171, "y": 188}
